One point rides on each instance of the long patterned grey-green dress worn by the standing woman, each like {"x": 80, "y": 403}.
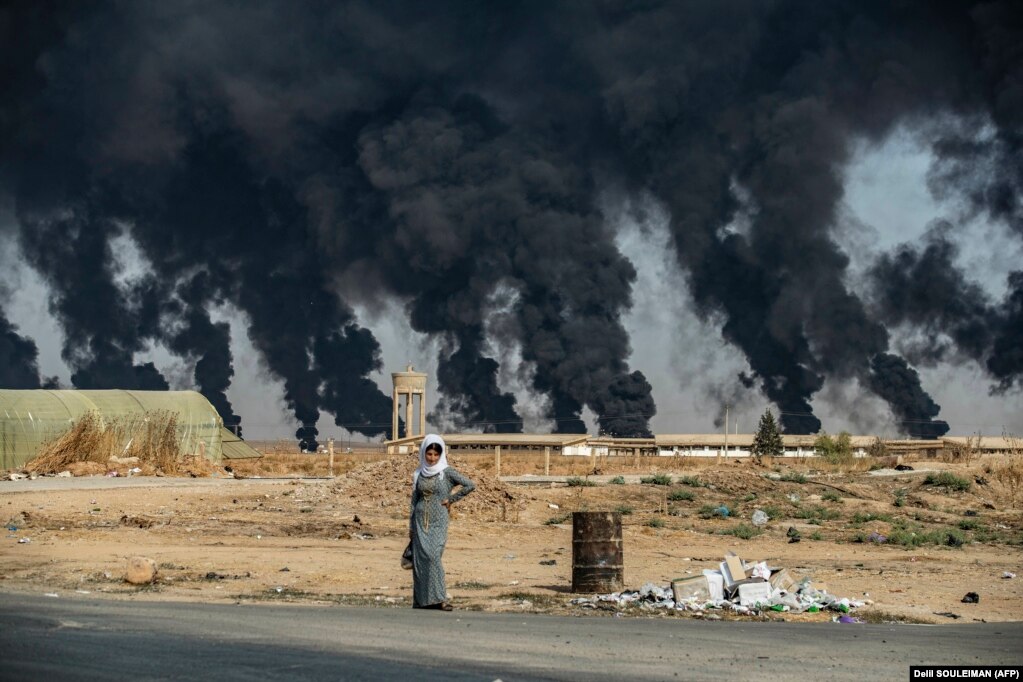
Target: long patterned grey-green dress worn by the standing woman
{"x": 429, "y": 523}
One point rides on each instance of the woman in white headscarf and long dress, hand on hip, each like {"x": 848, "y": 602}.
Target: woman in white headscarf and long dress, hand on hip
{"x": 432, "y": 501}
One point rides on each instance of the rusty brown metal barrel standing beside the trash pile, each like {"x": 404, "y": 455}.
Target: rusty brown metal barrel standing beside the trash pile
{"x": 598, "y": 558}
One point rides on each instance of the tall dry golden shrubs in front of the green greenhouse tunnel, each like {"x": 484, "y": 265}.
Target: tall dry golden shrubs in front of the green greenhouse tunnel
{"x": 91, "y": 444}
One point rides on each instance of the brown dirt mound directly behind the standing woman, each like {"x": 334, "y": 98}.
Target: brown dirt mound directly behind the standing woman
{"x": 389, "y": 483}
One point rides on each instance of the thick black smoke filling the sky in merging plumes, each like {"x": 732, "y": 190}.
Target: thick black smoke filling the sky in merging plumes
{"x": 288, "y": 162}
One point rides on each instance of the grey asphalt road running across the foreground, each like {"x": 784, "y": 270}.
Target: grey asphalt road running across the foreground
{"x": 67, "y": 639}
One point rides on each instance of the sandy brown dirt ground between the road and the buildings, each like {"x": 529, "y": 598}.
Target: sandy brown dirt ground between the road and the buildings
{"x": 339, "y": 540}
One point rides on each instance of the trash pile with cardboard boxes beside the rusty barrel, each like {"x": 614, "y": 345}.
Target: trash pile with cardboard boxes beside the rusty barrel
{"x": 736, "y": 586}
